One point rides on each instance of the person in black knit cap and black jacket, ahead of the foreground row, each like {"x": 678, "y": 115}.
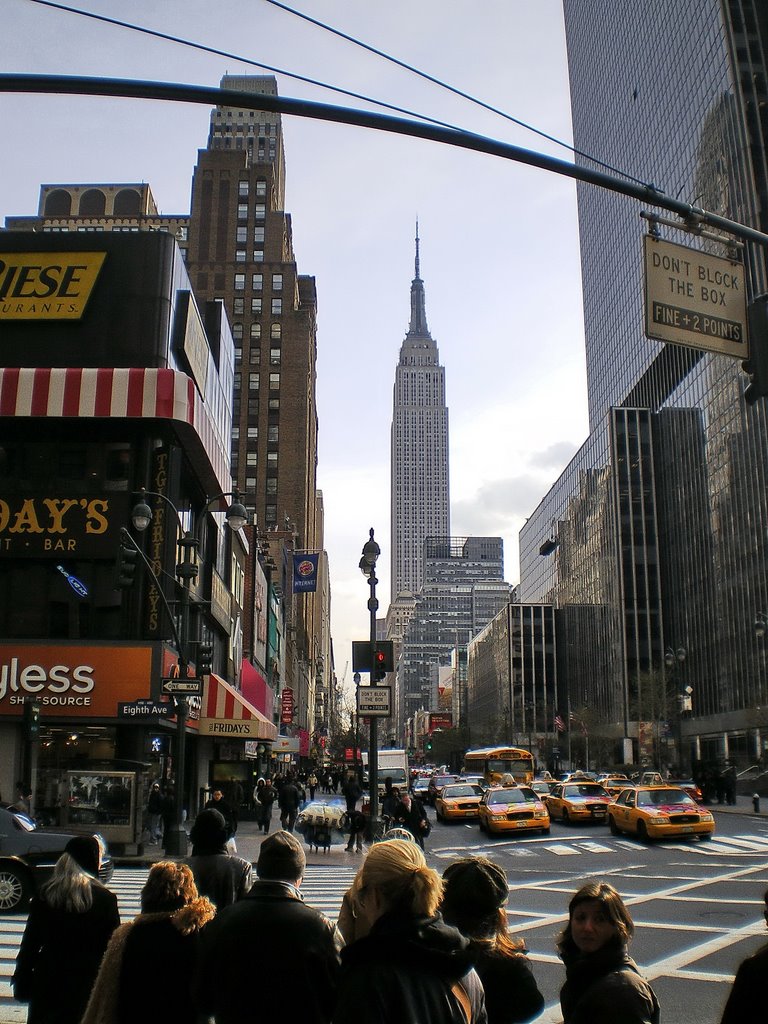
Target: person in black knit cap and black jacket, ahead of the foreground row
{"x": 221, "y": 877}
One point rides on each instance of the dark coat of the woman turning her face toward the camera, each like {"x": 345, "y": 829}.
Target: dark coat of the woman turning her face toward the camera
{"x": 605, "y": 988}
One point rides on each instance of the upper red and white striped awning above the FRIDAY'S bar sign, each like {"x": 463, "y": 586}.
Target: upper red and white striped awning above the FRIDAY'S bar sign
{"x": 119, "y": 394}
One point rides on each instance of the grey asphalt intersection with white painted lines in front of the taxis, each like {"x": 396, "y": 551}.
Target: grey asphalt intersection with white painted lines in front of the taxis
{"x": 698, "y": 906}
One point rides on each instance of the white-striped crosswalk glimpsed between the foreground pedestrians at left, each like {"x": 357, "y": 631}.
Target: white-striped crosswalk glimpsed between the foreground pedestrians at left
{"x": 324, "y": 888}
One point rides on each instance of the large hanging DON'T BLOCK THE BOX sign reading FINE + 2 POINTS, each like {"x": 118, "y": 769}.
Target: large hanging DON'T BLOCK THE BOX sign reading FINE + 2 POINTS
{"x": 695, "y": 300}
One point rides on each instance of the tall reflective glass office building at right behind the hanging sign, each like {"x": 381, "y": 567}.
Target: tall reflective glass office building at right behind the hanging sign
{"x": 652, "y": 545}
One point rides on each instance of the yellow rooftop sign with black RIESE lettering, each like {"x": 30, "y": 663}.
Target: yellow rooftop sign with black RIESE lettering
{"x": 48, "y": 285}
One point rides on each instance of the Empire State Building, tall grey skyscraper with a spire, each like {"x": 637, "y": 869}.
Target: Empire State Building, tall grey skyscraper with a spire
{"x": 420, "y": 493}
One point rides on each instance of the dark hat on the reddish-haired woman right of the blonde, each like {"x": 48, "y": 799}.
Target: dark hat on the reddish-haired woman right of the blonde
{"x": 476, "y": 889}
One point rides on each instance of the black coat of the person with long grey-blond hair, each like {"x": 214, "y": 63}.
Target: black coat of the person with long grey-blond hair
{"x": 60, "y": 955}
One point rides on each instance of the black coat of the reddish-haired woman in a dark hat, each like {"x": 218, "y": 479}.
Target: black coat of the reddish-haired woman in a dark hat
{"x": 513, "y": 996}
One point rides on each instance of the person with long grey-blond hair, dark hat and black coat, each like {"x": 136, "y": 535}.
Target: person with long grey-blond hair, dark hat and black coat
{"x": 69, "y": 926}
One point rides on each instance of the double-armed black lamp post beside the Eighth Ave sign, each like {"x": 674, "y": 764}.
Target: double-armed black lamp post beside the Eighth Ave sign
{"x": 187, "y": 571}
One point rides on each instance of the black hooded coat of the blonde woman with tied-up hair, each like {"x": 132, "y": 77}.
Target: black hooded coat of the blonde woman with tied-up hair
{"x": 404, "y": 970}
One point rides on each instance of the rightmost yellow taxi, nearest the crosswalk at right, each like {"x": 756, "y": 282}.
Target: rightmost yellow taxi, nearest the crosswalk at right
{"x": 659, "y": 812}
